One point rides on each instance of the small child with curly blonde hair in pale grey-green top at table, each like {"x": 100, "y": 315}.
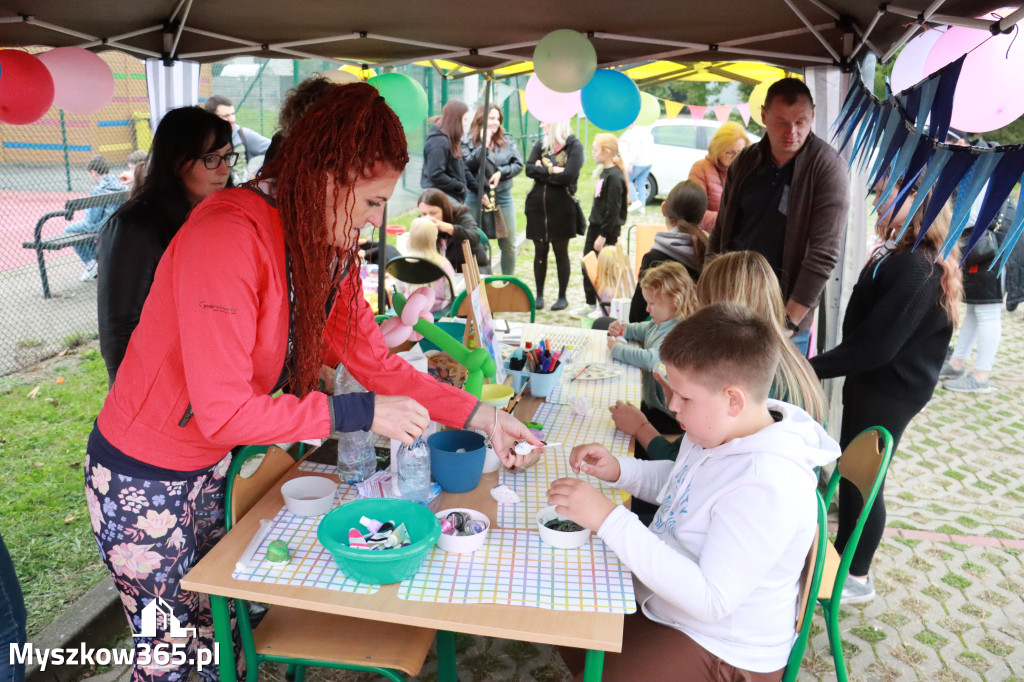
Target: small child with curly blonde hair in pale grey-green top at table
{"x": 671, "y": 296}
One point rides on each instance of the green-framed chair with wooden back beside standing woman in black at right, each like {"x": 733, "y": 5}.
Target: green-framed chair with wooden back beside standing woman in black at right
{"x": 864, "y": 463}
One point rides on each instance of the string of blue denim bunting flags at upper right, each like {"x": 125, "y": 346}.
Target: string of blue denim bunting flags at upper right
{"x": 902, "y": 144}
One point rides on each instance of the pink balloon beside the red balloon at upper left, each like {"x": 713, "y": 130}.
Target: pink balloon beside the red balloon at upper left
{"x": 82, "y": 81}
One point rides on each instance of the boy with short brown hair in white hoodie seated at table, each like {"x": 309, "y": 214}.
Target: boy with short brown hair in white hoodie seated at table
{"x": 717, "y": 571}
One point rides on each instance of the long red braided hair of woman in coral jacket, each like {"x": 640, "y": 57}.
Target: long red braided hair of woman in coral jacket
{"x": 349, "y": 134}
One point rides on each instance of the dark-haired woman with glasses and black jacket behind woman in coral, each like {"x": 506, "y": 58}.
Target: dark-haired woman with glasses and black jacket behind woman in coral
{"x": 191, "y": 157}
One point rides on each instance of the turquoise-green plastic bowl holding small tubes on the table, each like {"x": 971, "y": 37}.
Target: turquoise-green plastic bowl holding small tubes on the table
{"x": 379, "y": 568}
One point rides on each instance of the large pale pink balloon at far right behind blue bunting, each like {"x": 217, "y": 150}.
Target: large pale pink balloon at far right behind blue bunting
{"x": 986, "y": 99}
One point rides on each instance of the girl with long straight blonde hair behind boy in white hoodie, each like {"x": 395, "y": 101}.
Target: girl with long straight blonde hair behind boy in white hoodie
{"x": 745, "y": 278}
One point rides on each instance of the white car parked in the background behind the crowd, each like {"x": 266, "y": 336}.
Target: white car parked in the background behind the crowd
{"x": 678, "y": 145}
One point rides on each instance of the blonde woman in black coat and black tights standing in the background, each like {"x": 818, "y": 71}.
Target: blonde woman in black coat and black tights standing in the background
{"x": 551, "y": 210}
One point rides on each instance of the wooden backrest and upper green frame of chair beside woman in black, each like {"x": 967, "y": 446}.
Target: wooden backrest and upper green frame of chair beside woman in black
{"x": 865, "y": 463}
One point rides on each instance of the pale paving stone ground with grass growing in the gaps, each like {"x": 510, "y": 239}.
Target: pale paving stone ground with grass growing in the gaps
{"x": 949, "y": 575}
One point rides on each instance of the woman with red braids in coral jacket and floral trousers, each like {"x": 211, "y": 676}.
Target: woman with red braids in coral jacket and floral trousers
{"x": 257, "y": 292}
